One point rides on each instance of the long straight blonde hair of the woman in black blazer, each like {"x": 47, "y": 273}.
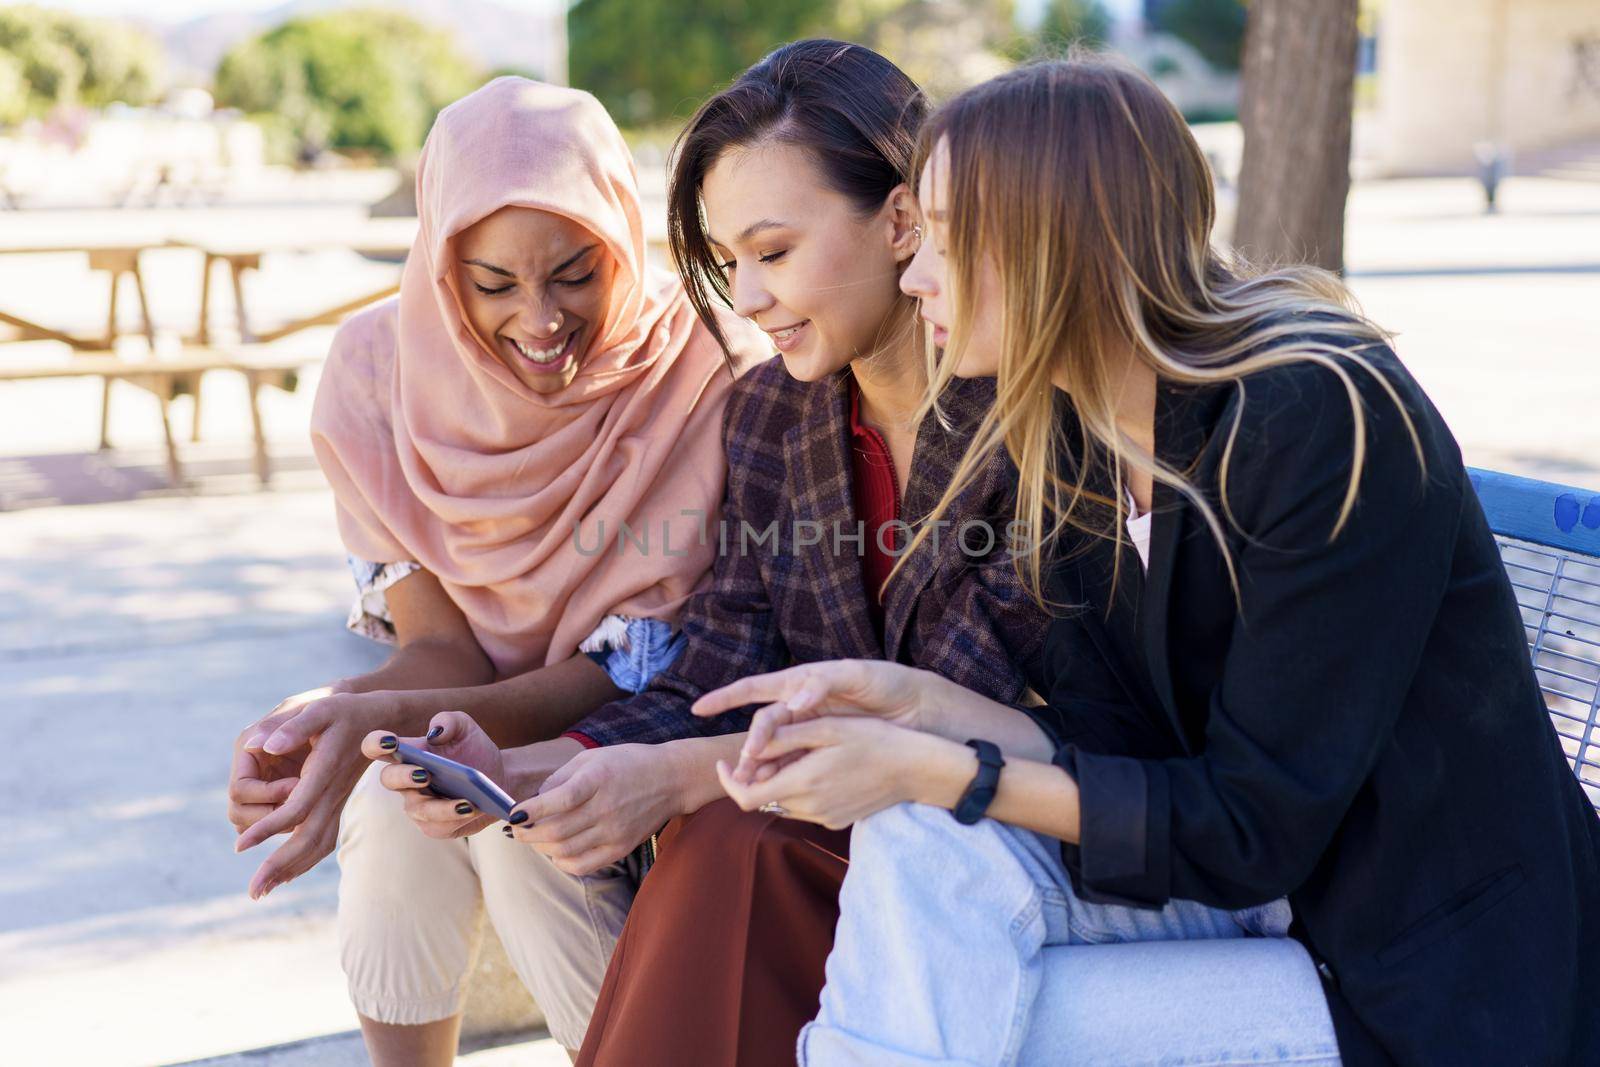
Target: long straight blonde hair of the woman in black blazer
{"x": 1087, "y": 191}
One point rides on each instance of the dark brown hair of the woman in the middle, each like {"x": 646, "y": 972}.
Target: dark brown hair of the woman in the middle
{"x": 854, "y": 110}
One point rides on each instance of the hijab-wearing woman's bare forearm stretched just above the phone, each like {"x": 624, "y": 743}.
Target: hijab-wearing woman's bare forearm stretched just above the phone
{"x": 526, "y": 709}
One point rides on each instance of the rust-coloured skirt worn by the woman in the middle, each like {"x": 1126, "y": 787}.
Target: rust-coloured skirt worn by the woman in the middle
{"x": 721, "y": 962}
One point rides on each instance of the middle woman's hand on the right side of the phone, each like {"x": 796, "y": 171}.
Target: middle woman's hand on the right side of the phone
{"x": 601, "y": 805}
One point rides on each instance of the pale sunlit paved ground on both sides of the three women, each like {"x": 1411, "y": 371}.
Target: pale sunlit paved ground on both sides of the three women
{"x": 138, "y": 634}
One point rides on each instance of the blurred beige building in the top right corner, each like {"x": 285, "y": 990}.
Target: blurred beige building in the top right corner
{"x": 1458, "y": 76}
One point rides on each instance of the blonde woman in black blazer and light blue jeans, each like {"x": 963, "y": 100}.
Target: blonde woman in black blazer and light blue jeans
{"x": 1295, "y": 757}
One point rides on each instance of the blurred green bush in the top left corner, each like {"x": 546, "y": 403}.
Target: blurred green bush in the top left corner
{"x": 71, "y": 60}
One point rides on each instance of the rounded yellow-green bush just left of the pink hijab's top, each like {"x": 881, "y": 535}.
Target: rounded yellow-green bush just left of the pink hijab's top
{"x": 356, "y": 79}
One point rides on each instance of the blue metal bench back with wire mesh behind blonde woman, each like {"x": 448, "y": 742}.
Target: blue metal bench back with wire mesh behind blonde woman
{"x": 1550, "y": 540}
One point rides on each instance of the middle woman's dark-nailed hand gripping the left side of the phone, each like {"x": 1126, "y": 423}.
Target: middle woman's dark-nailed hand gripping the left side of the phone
{"x": 455, "y": 737}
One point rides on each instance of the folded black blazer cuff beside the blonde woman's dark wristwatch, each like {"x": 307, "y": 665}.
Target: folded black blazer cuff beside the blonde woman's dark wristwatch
{"x": 1122, "y": 855}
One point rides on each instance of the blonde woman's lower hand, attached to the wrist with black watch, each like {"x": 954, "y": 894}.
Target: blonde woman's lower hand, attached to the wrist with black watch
{"x": 839, "y": 770}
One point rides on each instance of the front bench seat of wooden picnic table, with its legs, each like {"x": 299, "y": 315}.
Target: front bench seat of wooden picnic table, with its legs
{"x": 170, "y": 378}
